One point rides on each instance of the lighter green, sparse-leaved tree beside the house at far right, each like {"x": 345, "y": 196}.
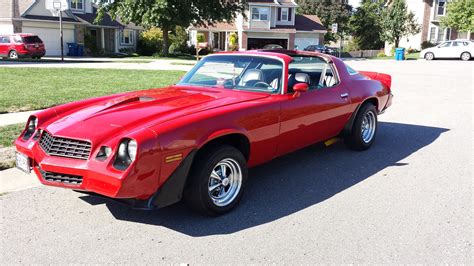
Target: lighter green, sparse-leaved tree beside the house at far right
{"x": 398, "y": 22}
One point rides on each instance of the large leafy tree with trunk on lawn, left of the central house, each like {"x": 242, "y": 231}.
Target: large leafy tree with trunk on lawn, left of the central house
{"x": 167, "y": 14}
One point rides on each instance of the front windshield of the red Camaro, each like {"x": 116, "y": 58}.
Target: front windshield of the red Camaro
{"x": 248, "y": 73}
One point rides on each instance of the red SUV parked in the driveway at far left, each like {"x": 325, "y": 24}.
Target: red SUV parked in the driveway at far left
{"x": 21, "y": 45}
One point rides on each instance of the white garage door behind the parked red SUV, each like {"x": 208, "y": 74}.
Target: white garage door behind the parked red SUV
{"x": 50, "y": 39}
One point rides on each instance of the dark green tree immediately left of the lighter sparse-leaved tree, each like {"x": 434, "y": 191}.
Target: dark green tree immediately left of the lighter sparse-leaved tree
{"x": 366, "y": 24}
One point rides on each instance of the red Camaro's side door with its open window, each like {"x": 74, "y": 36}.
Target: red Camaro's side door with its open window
{"x": 316, "y": 115}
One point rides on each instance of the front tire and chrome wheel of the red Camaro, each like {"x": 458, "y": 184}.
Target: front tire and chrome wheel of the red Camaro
{"x": 217, "y": 180}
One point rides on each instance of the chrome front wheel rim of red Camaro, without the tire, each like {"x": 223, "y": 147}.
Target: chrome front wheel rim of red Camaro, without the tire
{"x": 225, "y": 182}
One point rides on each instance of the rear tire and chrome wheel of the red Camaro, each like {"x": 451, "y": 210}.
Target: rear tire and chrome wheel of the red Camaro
{"x": 364, "y": 128}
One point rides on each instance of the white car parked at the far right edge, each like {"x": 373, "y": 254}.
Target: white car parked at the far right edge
{"x": 463, "y": 49}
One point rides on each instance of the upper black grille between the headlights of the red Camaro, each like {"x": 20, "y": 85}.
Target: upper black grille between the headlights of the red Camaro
{"x": 63, "y": 147}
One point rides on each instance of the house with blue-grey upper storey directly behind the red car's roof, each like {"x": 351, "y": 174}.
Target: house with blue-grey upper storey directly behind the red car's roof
{"x": 265, "y": 22}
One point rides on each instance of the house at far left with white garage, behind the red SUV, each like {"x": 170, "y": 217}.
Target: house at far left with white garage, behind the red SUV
{"x": 31, "y": 16}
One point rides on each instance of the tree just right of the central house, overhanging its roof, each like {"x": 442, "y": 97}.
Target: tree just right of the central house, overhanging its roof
{"x": 329, "y": 11}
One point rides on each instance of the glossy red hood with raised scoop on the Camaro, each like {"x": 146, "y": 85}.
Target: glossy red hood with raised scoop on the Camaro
{"x": 135, "y": 110}
